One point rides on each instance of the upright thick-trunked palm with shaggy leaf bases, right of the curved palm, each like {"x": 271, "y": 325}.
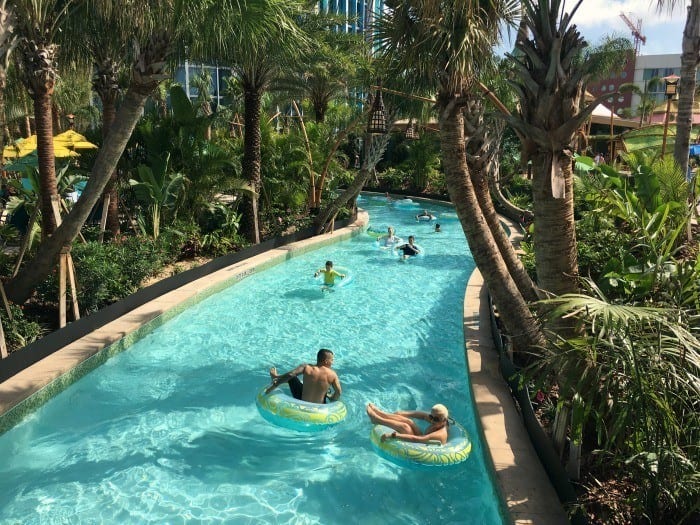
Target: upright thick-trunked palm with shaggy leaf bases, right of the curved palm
{"x": 551, "y": 71}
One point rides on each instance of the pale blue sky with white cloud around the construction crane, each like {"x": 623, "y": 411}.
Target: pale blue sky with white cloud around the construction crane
{"x": 597, "y": 18}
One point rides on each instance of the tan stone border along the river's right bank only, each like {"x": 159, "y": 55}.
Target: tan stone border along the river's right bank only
{"x": 520, "y": 476}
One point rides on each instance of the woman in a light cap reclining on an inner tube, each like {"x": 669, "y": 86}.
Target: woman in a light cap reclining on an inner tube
{"x": 405, "y": 429}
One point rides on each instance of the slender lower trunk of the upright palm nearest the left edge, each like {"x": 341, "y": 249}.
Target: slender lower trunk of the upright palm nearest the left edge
{"x": 48, "y": 189}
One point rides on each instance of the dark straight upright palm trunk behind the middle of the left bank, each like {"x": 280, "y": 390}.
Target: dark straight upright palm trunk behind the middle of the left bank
{"x": 251, "y": 163}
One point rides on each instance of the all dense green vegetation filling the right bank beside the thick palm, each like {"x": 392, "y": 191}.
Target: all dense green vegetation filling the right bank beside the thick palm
{"x": 632, "y": 369}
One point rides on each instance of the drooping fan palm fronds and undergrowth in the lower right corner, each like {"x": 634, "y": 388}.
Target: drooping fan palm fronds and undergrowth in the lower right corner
{"x": 637, "y": 370}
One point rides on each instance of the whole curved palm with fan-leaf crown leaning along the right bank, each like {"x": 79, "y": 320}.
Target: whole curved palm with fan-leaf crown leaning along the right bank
{"x": 442, "y": 45}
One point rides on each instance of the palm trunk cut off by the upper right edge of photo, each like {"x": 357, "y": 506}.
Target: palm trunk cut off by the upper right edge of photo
{"x": 686, "y": 97}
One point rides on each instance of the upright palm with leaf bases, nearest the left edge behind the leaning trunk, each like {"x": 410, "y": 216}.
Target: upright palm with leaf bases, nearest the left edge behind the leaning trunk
{"x": 38, "y": 23}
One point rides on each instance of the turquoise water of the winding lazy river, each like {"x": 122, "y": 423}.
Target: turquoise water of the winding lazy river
{"x": 168, "y": 431}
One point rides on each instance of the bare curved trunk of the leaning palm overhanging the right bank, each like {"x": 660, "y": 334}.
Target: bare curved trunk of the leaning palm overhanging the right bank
{"x": 518, "y": 319}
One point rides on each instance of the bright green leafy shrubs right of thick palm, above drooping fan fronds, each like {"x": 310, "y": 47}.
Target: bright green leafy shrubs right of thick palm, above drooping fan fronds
{"x": 633, "y": 229}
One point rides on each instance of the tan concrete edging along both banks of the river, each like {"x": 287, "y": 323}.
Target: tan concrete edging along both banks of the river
{"x": 524, "y": 486}
